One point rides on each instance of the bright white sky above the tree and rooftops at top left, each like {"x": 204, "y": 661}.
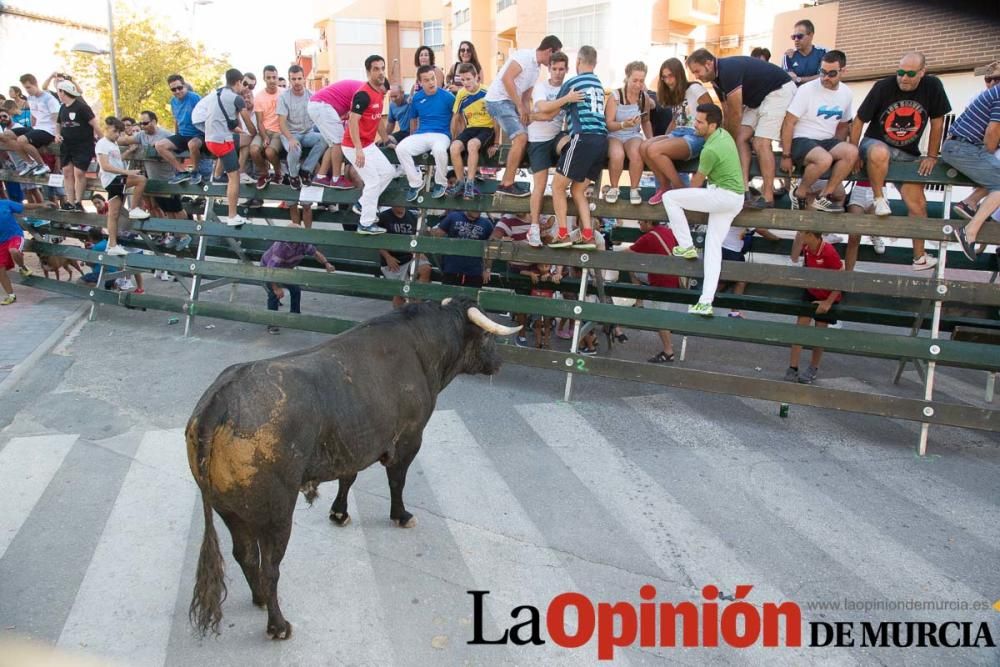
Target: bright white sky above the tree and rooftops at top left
{"x": 249, "y": 30}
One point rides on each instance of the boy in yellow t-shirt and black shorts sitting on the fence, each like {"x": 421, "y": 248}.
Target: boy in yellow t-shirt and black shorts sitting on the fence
{"x": 473, "y": 129}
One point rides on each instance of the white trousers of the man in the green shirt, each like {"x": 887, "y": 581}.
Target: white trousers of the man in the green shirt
{"x": 722, "y": 206}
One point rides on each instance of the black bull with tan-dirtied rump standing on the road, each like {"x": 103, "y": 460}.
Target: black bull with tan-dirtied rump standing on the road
{"x": 266, "y": 430}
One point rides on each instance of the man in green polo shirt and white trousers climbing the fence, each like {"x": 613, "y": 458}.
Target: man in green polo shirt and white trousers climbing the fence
{"x": 722, "y": 200}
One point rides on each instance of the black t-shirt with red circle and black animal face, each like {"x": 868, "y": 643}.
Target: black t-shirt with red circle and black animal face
{"x": 899, "y": 118}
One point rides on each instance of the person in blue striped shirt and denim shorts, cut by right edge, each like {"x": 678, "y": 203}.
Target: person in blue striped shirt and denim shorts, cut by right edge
{"x": 971, "y": 148}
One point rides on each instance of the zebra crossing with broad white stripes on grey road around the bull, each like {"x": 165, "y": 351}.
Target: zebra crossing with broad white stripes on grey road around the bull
{"x": 595, "y": 498}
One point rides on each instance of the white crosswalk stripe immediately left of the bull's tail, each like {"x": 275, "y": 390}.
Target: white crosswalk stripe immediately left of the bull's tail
{"x": 125, "y": 606}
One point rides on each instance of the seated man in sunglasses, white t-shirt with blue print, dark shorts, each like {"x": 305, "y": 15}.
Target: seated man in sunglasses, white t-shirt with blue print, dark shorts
{"x": 814, "y": 134}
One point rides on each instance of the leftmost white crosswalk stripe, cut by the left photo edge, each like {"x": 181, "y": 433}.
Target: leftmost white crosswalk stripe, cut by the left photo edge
{"x": 27, "y": 465}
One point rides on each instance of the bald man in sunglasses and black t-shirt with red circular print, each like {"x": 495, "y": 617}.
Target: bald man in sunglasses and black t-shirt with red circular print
{"x": 898, "y": 110}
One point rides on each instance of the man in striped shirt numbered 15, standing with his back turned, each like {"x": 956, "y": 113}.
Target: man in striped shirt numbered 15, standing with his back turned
{"x": 584, "y": 157}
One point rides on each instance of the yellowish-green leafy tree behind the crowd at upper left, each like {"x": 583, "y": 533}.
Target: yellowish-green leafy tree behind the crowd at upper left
{"x": 146, "y": 53}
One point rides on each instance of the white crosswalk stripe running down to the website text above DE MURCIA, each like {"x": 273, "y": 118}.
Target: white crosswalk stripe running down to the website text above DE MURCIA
{"x": 893, "y": 569}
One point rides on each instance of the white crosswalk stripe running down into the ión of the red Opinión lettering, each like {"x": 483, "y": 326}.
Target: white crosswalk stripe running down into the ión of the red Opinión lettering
{"x": 683, "y": 547}
